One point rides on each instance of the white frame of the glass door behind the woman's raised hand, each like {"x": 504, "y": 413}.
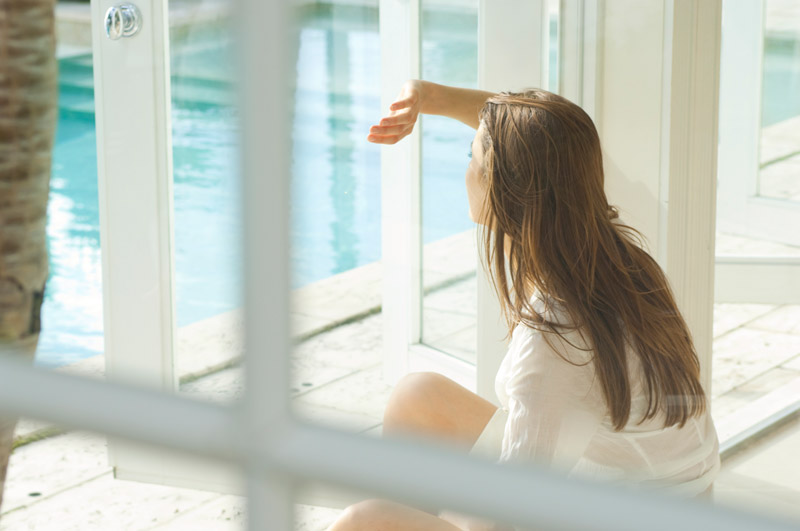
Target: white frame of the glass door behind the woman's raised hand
{"x": 503, "y": 29}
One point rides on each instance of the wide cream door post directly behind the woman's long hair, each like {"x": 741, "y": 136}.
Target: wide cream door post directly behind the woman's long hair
{"x": 657, "y": 108}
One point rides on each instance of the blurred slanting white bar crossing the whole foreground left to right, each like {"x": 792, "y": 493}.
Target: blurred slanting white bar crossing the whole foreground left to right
{"x": 411, "y": 472}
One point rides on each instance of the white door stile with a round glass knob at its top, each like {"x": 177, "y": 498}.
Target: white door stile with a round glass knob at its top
{"x": 132, "y": 102}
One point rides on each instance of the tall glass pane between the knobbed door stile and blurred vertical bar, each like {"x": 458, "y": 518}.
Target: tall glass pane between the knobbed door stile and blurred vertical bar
{"x": 206, "y": 191}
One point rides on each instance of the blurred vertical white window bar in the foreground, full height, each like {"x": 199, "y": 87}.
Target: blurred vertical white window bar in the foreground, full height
{"x": 267, "y": 93}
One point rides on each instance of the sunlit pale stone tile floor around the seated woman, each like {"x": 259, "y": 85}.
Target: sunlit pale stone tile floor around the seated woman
{"x": 64, "y": 482}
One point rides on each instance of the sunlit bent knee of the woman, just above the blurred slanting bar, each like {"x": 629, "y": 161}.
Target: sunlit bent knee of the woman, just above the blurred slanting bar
{"x": 410, "y": 397}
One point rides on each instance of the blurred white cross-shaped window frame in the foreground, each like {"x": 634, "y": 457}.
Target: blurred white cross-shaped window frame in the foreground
{"x": 274, "y": 451}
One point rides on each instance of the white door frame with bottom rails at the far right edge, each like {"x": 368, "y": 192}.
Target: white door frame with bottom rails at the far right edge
{"x": 746, "y": 279}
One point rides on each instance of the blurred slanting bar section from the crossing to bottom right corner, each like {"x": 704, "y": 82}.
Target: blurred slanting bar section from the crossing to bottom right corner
{"x": 432, "y": 476}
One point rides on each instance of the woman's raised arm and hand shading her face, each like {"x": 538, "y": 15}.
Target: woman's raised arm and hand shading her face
{"x": 418, "y": 96}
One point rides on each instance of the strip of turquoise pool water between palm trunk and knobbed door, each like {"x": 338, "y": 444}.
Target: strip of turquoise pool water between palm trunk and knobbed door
{"x": 72, "y": 314}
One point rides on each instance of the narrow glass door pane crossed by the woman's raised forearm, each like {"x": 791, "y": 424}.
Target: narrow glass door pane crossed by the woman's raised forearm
{"x": 450, "y": 57}
